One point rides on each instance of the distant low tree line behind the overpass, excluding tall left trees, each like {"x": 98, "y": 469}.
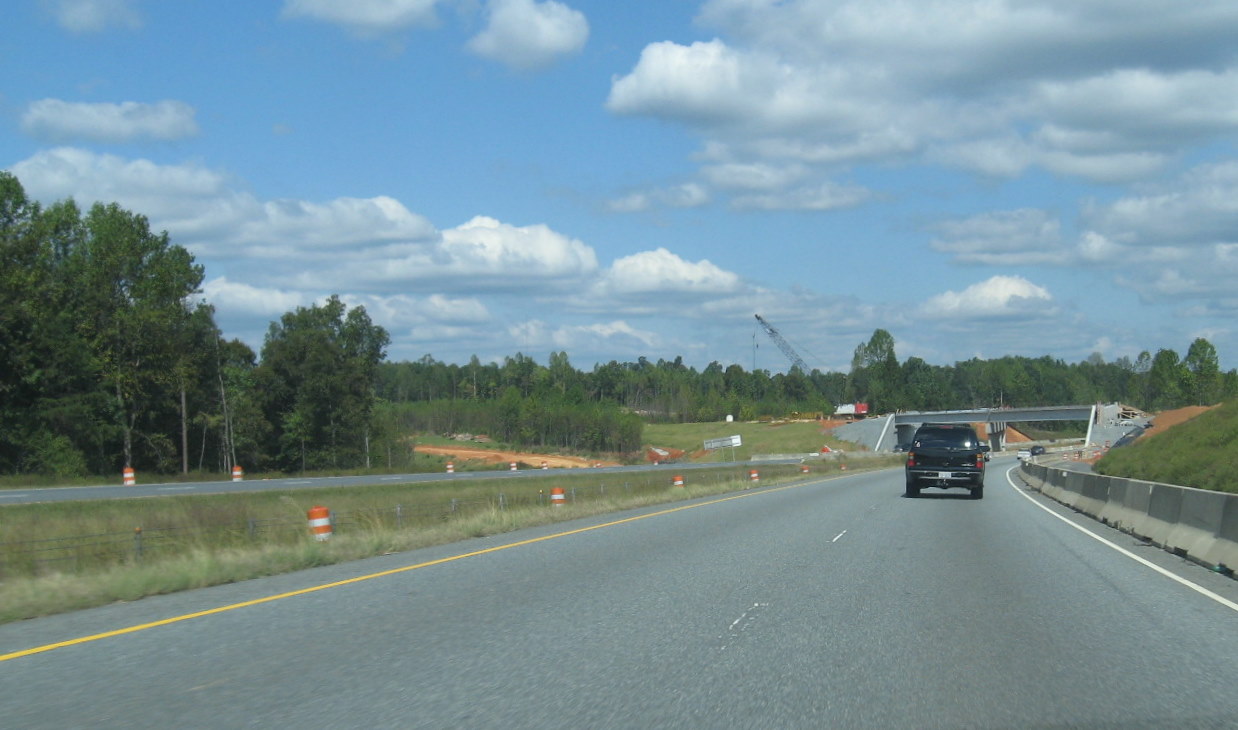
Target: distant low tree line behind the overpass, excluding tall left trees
{"x": 672, "y": 392}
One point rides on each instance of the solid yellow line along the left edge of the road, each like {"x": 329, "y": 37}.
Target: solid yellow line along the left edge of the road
{"x": 49, "y": 648}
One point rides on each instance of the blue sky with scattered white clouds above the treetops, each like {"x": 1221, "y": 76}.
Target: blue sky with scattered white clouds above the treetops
{"x": 625, "y": 180}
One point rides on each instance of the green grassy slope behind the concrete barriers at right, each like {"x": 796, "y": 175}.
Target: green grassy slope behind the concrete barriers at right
{"x": 1201, "y": 453}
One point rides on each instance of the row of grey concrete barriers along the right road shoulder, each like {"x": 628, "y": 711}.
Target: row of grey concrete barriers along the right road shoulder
{"x": 1194, "y": 523}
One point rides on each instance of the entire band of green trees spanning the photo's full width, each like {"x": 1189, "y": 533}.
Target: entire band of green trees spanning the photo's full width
{"x": 112, "y": 359}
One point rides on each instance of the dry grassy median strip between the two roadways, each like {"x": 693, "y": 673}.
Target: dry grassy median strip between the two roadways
{"x": 69, "y": 556}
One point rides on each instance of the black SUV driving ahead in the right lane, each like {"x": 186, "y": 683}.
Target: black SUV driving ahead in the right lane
{"x": 945, "y": 456}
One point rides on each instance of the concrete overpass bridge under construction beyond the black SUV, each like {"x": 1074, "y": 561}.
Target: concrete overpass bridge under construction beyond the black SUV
{"x": 1107, "y": 424}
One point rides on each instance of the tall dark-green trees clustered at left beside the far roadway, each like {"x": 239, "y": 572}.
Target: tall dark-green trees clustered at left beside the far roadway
{"x": 111, "y": 359}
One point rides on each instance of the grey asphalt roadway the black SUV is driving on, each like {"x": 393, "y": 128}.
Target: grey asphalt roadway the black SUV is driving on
{"x": 830, "y": 603}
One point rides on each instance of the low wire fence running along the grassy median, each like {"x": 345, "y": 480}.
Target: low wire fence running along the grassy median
{"x": 87, "y": 554}
